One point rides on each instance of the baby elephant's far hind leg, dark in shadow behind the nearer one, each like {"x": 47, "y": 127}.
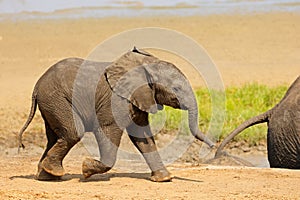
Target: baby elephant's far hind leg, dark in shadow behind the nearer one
{"x": 52, "y": 139}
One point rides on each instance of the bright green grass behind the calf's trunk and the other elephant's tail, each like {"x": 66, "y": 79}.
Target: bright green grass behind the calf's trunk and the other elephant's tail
{"x": 241, "y": 104}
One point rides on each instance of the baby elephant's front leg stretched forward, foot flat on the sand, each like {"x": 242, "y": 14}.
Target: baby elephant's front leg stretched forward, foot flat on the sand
{"x": 142, "y": 138}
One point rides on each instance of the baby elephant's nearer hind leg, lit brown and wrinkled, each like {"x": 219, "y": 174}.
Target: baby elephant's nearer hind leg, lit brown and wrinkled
{"x": 69, "y": 129}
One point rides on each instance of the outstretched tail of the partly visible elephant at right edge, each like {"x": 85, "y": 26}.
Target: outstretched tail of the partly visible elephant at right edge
{"x": 250, "y": 122}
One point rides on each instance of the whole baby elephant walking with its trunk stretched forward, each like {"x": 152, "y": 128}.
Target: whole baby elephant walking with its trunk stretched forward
{"x": 105, "y": 99}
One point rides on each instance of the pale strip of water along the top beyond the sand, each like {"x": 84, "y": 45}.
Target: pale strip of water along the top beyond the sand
{"x": 72, "y": 9}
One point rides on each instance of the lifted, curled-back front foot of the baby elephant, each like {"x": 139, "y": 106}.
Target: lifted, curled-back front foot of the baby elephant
{"x": 91, "y": 166}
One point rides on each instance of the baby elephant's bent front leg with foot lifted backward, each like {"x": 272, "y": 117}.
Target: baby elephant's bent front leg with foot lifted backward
{"x": 108, "y": 139}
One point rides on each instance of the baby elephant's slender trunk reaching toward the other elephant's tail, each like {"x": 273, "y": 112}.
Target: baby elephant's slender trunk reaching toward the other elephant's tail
{"x": 193, "y": 125}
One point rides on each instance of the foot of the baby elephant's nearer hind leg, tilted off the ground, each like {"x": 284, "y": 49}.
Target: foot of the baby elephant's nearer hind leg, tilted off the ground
{"x": 53, "y": 166}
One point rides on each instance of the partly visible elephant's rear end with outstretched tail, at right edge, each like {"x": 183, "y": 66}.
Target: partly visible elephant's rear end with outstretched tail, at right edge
{"x": 283, "y": 137}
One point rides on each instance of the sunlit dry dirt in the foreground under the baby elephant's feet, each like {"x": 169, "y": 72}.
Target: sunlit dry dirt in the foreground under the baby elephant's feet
{"x": 201, "y": 182}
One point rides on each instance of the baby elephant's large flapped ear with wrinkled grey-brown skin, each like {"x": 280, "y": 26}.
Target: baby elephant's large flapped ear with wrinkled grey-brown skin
{"x": 133, "y": 85}
